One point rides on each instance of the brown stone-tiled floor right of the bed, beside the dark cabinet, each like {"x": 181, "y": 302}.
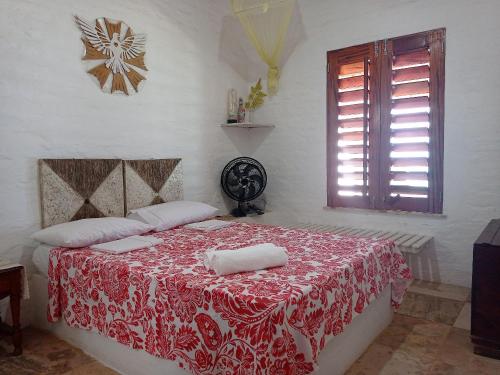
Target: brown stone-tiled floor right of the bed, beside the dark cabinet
{"x": 429, "y": 335}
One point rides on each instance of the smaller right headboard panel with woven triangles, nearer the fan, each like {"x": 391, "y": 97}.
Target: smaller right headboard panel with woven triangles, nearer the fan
{"x": 149, "y": 182}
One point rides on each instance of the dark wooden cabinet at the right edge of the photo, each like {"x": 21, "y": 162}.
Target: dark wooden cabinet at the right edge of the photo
{"x": 485, "y": 323}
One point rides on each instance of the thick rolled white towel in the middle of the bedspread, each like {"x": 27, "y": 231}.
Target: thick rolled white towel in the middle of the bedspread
{"x": 252, "y": 258}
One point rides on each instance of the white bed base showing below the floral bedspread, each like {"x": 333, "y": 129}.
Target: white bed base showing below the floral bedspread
{"x": 338, "y": 355}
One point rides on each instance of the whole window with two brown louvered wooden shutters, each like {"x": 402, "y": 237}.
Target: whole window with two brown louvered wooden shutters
{"x": 385, "y": 124}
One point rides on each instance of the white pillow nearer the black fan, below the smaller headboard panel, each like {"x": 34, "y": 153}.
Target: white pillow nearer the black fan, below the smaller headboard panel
{"x": 172, "y": 214}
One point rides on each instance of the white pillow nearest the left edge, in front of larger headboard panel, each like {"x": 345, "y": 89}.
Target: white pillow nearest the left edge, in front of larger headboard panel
{"x": 88, "y": 232}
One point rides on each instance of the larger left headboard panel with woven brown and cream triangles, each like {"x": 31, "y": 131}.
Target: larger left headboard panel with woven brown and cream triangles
{"x": 73, "y": 189}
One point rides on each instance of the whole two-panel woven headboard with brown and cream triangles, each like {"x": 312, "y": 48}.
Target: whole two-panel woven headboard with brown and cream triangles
{"x": 73, "y": 189}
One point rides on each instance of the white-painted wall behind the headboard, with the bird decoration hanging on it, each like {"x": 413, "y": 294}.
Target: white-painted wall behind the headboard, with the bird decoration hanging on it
{"x": 51, "y": 108}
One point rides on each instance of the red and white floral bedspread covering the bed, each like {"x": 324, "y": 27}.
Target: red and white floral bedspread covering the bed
{"x": 276, "y": 321}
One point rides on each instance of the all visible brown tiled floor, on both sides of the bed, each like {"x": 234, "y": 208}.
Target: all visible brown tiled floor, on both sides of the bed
{"x": 429, "y": 335}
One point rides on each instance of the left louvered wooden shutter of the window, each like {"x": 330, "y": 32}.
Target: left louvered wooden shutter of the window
{"x": 349, "y": 96}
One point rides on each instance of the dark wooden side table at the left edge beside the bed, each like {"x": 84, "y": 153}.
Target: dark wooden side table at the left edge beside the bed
{"x": 10, "y": 286}
